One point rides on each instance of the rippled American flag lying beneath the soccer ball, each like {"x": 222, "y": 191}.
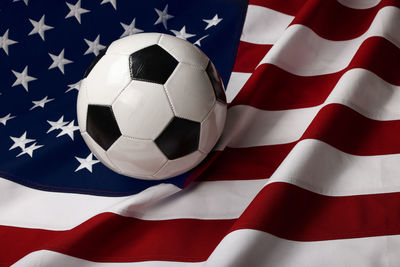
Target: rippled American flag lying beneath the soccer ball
{"x": 307, "y": 172}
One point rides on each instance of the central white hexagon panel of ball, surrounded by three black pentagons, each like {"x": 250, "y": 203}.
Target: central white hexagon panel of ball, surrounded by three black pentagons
{"x": 142, "y": 110}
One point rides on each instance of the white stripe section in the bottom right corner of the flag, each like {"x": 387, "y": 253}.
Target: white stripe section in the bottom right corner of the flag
{"x": 256, "y": 248}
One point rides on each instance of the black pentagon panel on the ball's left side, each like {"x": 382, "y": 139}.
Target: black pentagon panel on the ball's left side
{"x": 102, "y": 126}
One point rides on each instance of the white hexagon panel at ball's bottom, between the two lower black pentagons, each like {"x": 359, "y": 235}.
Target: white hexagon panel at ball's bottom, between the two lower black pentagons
{"x": 136, "y": 157}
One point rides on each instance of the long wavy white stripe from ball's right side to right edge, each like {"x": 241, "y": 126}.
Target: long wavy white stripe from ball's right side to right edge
{"x": 358, "y": 89}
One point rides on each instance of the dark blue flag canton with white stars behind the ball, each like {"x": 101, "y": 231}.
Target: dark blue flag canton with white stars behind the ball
{"x": 45, "y": 47}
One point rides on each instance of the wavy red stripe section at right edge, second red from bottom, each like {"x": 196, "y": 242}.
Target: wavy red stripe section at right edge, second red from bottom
{"x": 350, "y": 132}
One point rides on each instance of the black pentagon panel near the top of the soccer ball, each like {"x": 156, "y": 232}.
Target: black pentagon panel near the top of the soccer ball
{"x": 152, "y": 64}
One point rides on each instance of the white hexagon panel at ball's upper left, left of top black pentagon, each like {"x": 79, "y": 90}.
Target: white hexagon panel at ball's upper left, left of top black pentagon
{"x": 115, "y": 76}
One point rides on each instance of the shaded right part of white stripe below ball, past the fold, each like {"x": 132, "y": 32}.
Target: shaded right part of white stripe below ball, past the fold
{"x": 203, "y": 200}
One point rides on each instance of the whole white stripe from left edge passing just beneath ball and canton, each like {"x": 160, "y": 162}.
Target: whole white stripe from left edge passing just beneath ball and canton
{"x": 25, "y": 207}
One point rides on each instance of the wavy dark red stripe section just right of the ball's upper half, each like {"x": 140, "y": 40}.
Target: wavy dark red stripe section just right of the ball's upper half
{"x": 272, "y": 88}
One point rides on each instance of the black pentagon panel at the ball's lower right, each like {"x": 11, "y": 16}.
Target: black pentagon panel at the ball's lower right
{"x": 179, "y": 138}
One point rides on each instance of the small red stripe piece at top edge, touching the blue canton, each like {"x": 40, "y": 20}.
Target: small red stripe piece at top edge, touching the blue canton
{"x": 288, "y": 7}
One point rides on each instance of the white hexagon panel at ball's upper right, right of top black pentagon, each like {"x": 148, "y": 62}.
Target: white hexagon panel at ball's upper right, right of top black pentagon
{"x": 190, "y": 92}
